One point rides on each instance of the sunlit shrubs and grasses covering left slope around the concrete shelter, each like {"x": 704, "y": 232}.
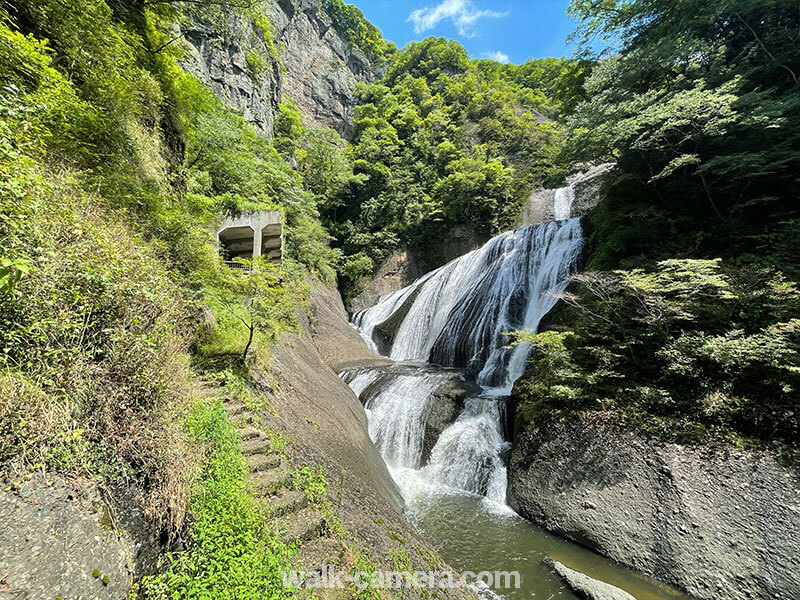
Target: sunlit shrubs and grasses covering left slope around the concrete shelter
{"x": 113, "y": 166}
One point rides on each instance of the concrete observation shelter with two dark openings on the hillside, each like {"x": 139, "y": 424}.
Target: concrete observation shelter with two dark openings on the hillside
{"x": 251, "y": 234}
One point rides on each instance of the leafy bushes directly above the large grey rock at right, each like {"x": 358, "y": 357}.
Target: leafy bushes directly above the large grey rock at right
{"x": 700, "y": 350}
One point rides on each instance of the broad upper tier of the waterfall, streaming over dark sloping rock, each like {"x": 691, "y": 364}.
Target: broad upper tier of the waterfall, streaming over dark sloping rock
{"x": 459, "y": 314}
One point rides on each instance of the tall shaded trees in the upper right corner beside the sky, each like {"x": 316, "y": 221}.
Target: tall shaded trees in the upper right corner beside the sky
{"x": 699, "y": 109}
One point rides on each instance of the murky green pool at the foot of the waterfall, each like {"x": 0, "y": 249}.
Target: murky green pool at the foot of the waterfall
{"x": 471, "y": 538}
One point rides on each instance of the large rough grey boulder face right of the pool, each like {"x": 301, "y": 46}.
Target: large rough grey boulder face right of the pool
{"x": 719, "y": 523}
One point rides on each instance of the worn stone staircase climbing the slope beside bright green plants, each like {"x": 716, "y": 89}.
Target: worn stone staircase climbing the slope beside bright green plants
{"x": 270, "y": 481}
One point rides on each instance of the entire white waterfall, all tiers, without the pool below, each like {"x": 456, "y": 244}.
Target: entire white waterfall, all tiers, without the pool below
{"x": 458, "y": 316}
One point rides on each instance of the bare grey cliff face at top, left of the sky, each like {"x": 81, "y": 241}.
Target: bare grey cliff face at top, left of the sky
{"x": 318, "y": 69}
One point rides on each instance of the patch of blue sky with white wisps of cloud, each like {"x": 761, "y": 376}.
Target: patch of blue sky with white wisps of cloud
{"x": 506, "y": 30}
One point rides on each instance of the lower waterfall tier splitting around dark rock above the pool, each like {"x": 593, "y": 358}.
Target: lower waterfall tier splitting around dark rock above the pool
{"x": 434, "y": 429}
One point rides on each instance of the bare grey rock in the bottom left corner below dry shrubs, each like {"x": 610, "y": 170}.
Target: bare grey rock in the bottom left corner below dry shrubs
{"x": 60, "y": 538}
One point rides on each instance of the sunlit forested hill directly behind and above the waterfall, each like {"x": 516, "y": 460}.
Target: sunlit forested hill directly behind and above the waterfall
{"x": 442, "y": 141}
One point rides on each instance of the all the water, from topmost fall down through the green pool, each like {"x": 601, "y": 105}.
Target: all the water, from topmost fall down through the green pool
{"x": 448, "y": 455}
